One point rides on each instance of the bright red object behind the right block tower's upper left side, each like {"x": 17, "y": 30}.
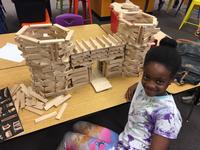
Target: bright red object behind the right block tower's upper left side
{"x": 114, "y": 21}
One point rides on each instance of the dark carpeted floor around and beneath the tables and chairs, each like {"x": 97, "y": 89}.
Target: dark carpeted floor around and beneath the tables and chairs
{"x": 49, "y": 138}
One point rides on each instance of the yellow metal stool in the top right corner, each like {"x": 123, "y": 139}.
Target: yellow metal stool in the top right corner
{"x": 187, "y": 16}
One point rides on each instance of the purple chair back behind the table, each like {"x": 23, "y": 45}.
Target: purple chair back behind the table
{"x": 68, "y": 20}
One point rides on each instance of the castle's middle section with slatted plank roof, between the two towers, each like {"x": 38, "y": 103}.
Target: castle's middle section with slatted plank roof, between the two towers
{"x": 108, "y": 50}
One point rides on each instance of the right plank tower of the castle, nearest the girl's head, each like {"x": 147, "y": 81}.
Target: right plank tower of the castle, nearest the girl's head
{"x": 137, "y": 29}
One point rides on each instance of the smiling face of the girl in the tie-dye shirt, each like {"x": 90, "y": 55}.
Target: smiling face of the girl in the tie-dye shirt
{"x": 156, "y": 78}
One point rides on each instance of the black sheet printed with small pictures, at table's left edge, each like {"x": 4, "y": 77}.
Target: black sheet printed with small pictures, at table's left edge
{"x": 10, "y": 124}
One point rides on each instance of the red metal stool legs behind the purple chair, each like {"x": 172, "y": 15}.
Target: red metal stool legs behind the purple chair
{"x": 86, "y": 6}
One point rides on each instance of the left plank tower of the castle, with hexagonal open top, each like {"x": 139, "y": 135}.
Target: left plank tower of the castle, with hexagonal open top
{"x": 46, "y": 49}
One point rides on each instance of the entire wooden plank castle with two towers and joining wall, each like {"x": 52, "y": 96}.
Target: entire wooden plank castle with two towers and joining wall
{"x": 57, "y": 64}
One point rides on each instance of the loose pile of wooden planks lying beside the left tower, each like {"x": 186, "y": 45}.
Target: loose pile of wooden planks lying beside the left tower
{"x": 26, "y": 99}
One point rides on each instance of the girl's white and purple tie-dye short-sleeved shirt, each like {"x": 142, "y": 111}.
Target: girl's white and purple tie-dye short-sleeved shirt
{"x": 149, "y": 115}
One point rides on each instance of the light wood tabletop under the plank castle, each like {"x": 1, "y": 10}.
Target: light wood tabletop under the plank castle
{"x": 84, "y": 100}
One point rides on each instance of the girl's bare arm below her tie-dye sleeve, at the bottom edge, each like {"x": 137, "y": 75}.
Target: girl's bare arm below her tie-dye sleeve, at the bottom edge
{"x": 159, "y": 143}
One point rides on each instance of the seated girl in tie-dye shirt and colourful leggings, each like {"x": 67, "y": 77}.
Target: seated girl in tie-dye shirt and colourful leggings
{"x": 153, "y": 116}
